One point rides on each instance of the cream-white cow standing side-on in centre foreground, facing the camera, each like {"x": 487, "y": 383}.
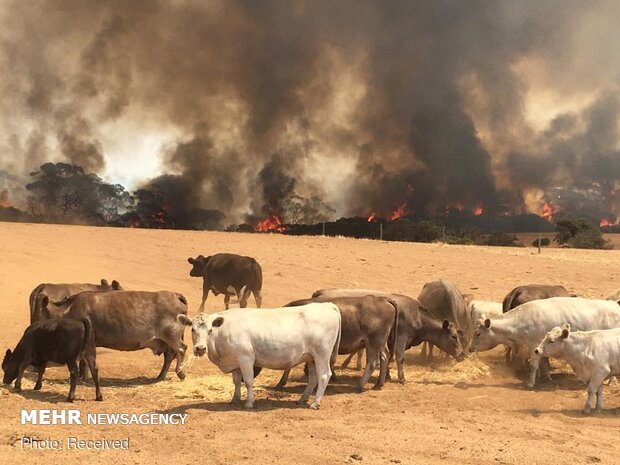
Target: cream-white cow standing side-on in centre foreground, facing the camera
{"x": 238, "y": 340}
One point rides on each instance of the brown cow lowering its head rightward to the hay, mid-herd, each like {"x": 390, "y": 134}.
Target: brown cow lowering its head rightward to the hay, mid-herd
{"x": 415, "y": 326}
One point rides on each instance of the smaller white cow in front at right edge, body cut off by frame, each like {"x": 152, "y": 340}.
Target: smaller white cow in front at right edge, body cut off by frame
{"x": 594, "y": 355}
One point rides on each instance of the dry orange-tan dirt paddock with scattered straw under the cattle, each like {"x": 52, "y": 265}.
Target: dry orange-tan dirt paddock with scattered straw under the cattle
{"x": 475, "y": 412}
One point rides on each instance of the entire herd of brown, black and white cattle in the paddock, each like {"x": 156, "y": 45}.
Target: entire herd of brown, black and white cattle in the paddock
{"x": 534, "y": 322}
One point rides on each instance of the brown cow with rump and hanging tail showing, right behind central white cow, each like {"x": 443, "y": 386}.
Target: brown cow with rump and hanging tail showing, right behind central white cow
{"x": 367, "y": 322}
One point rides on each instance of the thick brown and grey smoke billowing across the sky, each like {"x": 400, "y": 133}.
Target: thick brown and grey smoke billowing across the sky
{"x": 366, "y": 105}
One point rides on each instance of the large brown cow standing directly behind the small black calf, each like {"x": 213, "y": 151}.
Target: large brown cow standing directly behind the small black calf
{"x": 133, "y": 320}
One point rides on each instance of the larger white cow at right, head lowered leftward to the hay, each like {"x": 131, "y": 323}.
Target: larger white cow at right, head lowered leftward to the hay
{"x": 524, "y": 327}
